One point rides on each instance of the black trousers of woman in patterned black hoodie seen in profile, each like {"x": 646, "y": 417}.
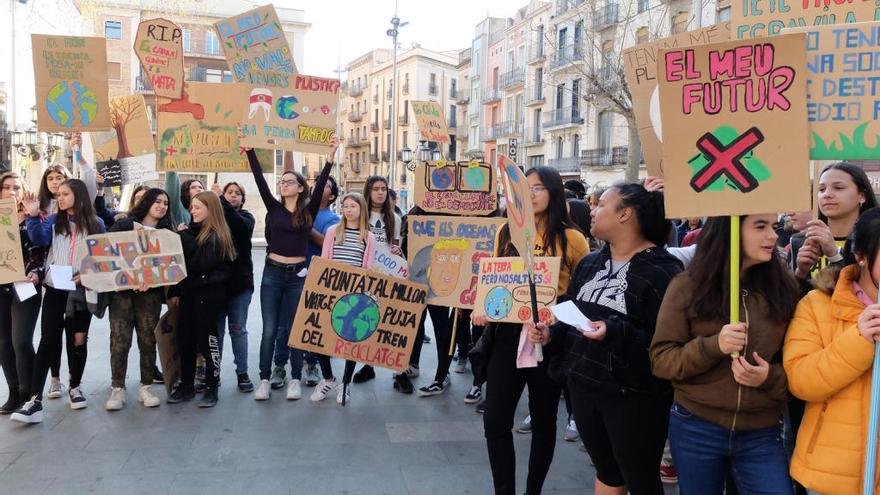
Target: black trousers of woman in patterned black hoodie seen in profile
{"x": 624, "y": 435}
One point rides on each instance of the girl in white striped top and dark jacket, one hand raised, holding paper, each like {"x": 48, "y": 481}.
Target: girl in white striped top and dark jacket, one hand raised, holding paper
{"x": 65, "y": 306}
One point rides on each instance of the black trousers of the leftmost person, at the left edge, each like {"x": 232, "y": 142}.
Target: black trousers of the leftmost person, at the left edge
{"x": 18, "y": 320}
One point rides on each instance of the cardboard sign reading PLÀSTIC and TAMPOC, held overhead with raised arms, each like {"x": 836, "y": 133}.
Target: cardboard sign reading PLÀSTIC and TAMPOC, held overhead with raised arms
{"x": 301, "y": 117}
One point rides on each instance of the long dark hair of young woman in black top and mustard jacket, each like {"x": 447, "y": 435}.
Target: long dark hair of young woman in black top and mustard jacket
{"x": 556, "y": 218}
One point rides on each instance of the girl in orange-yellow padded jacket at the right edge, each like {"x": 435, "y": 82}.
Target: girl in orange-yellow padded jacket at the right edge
{"x": 827, "y": 357}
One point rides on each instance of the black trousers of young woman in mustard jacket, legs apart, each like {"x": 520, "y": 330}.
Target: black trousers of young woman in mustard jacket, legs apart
{"x": 505, "y": 386}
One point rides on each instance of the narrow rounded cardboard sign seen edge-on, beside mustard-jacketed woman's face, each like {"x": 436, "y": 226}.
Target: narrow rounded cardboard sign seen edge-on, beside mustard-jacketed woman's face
{"x": 520, "y": 212}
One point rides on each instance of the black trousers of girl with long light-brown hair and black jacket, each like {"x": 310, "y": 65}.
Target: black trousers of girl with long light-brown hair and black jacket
{"x": 198, "y": 334}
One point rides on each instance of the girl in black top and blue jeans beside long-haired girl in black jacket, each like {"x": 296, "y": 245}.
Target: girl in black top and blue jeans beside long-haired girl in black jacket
{"x": 241, "y": 289}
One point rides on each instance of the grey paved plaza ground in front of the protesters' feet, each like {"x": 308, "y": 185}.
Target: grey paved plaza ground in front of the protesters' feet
{"x": 382, "y": 443}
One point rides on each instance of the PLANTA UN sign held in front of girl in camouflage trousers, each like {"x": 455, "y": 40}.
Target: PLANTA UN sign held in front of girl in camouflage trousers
{"x": 116, "y": 261}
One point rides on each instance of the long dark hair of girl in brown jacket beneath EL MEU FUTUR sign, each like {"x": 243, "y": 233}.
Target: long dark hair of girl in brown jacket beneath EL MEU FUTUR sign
{"x": 710, "y": 272}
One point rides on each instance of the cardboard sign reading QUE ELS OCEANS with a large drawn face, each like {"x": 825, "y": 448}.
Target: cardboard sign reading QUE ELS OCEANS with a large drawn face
{"x": 444, "y": 253}
